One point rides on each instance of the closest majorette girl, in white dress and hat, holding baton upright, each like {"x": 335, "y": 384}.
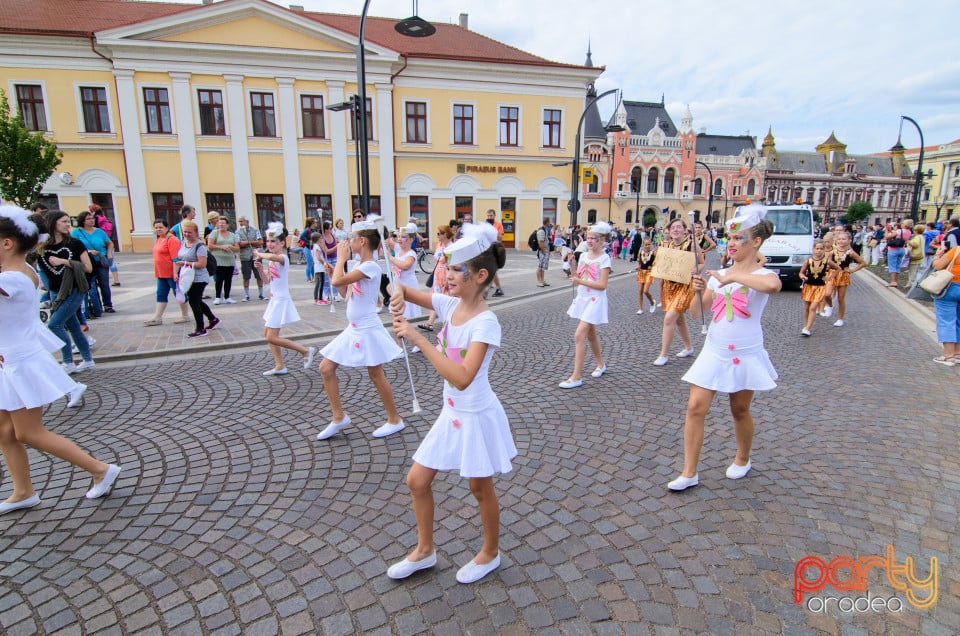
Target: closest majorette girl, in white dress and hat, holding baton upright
{"x": 471, "y": 434}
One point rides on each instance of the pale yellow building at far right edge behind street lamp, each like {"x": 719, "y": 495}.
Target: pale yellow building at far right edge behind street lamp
{"x": 940, "y": 190}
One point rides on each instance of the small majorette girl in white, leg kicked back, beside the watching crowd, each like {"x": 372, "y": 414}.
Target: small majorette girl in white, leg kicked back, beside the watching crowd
{"x": 280, "y": 310}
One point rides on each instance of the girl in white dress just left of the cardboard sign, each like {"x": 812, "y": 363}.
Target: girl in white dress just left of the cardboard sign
{"x": 590, "y": 304}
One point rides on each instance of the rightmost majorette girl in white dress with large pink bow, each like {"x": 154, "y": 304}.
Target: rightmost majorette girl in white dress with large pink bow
{"x": 733, "y": 359}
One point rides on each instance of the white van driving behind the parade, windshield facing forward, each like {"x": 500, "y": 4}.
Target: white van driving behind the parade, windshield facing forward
{"x": 792, "y": 240}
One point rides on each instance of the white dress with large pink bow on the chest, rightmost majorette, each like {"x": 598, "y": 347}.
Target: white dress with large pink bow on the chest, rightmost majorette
{"x": 733, "y": 358}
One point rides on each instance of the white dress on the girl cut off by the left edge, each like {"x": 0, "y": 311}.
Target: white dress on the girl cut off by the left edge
{"x": 29, "y": 376}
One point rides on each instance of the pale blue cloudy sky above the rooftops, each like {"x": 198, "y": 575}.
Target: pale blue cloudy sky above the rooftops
{"x": 806, "y": 69}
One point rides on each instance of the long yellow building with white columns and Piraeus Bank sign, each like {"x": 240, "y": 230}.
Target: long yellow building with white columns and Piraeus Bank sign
{"x": 225, "y": 105}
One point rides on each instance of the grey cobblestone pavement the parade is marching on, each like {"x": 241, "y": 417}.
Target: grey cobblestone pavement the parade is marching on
{"x": 230, "y": 517}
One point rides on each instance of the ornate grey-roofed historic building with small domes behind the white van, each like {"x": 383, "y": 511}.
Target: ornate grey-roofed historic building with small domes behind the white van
{"x": 830, "y": 180}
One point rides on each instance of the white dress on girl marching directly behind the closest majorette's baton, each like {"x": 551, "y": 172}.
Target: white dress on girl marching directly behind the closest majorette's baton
{"x": 365, "y": 342}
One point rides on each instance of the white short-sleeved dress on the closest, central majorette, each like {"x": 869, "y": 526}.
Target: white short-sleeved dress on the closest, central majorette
{"x": 471, "y": 434}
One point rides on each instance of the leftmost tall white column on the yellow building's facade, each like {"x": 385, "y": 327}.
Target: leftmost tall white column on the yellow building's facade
{"x": 133, "y": 154}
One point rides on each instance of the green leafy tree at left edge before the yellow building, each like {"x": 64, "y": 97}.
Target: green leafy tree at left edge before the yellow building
{"x": 27, "y": 158}
